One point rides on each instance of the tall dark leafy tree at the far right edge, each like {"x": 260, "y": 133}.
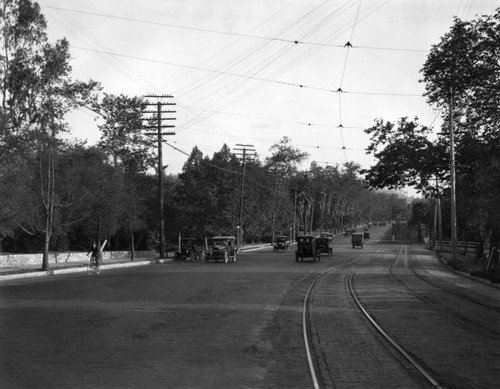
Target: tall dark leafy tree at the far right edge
{"x": 462, "y": 76}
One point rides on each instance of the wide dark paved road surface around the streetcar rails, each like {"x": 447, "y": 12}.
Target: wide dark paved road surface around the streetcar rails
{"x": 192, "y": 325}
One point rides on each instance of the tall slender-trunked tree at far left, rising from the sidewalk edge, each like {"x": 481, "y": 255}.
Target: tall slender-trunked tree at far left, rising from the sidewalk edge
{"x": 37, "y": 93}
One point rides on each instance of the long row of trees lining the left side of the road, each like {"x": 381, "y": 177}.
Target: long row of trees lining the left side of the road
{"x": 57, "y": 194}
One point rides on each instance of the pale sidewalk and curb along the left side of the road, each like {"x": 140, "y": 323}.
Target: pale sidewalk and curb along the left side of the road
{"x": 11, "y": 273}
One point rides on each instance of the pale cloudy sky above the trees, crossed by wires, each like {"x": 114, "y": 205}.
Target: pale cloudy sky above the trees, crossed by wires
{"x": 253, "y": 72}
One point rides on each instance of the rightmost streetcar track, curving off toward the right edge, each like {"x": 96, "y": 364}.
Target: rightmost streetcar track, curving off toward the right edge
{"x": 426, "y": 299}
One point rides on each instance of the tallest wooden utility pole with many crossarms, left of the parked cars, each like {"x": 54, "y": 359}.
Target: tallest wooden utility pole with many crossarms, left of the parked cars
{"x": 159, "y": 126}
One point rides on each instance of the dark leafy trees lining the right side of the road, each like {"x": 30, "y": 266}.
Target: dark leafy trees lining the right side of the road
{"x": 462, "y": 80}
